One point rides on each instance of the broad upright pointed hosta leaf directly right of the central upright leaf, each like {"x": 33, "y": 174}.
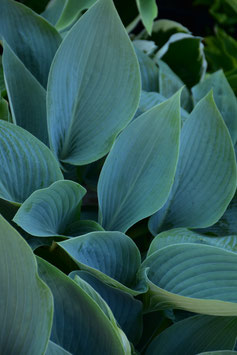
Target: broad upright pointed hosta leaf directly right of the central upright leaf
{"x": 205, "y": 180}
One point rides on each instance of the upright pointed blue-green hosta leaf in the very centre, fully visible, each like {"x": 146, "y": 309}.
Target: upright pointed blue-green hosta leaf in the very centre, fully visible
{"x": 138, "y": 173}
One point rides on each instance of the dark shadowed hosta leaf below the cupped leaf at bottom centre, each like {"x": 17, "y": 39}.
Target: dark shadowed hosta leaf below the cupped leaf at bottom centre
{"x": 126, "y": 310}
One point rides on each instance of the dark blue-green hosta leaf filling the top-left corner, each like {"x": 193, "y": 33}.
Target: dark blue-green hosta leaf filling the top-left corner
{"x": 32, "y": 38}
